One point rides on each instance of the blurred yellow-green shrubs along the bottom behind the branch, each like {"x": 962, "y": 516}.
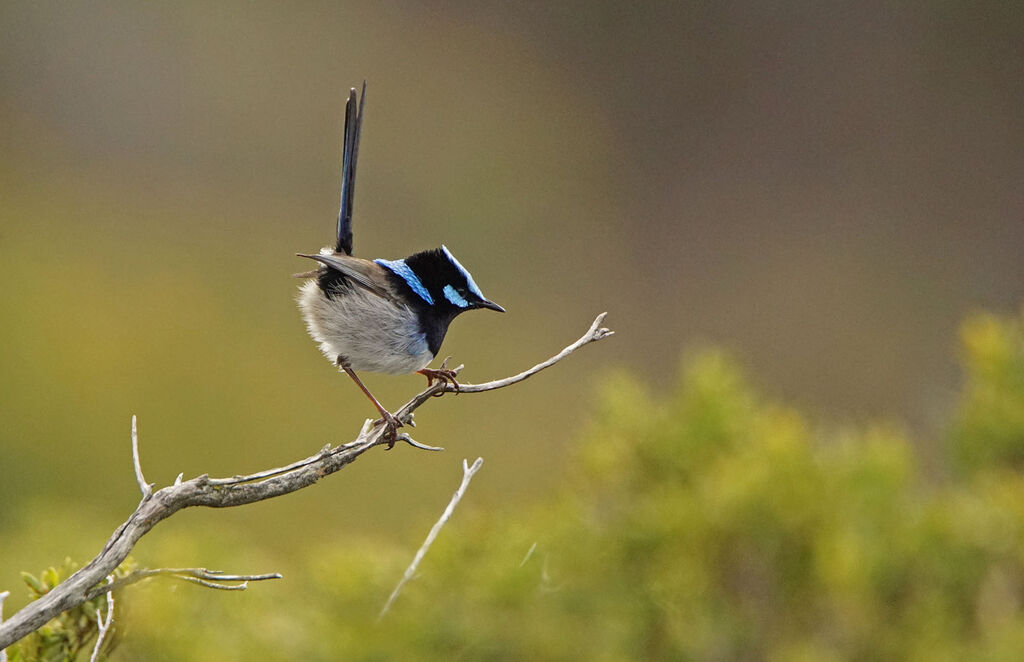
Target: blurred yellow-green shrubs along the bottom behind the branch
{"x": 703, "y": 524}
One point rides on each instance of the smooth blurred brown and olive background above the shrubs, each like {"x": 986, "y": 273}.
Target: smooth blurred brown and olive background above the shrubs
{"x": 827, "y": 190}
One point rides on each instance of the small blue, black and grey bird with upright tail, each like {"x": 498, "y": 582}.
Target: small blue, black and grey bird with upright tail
{"x": 382, "y": 316}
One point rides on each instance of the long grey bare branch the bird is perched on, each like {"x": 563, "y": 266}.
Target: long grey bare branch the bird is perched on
{"x": 235, "y": 491}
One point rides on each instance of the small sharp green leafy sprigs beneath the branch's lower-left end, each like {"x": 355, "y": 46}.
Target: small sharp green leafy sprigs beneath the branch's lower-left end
{"x": 72, "y": 636}
